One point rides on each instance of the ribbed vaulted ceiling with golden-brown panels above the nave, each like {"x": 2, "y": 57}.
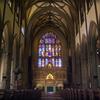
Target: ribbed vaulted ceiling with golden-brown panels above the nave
{"x": 59, "y": 14}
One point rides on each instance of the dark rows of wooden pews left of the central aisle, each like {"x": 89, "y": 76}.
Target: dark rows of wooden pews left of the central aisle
{"x": 21, "y": 95}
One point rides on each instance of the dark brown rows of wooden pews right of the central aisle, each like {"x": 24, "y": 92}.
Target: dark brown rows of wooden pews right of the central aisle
{"x": 80, "y": 94}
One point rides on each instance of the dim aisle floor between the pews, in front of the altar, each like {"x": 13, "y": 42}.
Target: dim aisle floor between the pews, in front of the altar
{"x": 51, "y": 96}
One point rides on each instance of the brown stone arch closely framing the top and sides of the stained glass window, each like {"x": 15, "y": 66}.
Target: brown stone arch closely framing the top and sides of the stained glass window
{"x": 60, "y": 37}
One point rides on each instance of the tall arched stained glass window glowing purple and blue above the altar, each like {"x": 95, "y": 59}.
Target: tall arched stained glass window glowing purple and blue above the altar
{"x": 49, "y": 52}
